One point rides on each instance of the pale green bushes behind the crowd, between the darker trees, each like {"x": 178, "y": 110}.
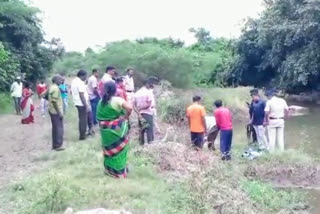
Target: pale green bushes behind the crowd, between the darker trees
{"x": 167, "y": 59}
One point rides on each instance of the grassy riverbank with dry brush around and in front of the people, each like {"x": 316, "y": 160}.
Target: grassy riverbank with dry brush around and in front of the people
{"x": 165, "y": 177}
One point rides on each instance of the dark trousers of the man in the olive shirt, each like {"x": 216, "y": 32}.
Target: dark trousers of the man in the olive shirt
{"x": 57, "y": 131}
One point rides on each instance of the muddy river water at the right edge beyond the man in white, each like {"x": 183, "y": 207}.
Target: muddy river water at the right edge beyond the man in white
{"x": 302, "y": 133}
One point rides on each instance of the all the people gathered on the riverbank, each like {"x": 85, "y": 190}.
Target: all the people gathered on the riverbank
{"x": 108, "y": 103}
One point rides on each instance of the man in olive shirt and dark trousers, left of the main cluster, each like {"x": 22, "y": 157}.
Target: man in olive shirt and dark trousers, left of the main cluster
{"x": 56, "y": 113}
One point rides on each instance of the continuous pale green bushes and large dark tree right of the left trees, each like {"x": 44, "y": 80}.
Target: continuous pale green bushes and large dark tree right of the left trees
{"x": 281, "y": 48}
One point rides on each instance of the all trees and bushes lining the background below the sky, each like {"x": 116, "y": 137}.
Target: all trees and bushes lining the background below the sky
{"x": 281, "y": 48}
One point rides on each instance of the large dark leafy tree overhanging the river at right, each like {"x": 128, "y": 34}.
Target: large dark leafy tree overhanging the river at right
{"x": 281, "y": 47}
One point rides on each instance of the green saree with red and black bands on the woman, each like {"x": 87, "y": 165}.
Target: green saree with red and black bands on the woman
{"x": 114, "y": 134}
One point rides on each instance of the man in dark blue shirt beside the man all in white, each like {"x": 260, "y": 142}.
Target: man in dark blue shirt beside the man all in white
{"x": 257, "y": 113}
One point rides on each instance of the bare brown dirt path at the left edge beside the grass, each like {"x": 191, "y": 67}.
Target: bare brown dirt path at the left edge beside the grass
{"x": 20, "y": 144}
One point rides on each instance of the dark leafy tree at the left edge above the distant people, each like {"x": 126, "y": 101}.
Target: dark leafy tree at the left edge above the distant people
{"x": 23, "y": 48}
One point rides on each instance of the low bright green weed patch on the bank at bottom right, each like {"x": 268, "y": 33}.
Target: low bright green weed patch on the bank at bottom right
{"x": 267, "y": 196}
